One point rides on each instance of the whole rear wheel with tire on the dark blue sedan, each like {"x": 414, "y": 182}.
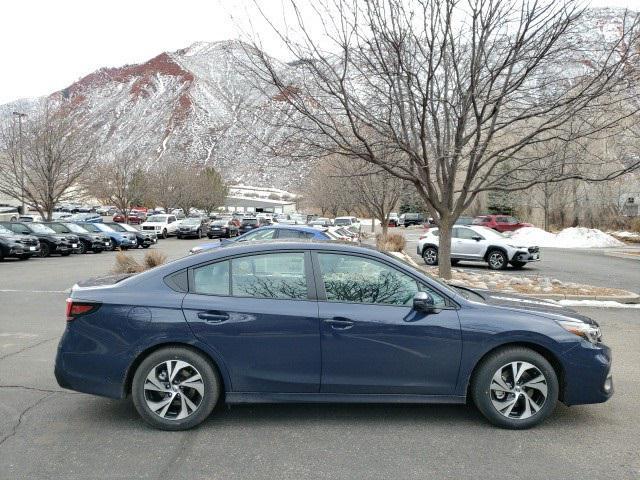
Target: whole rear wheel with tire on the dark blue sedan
{"x": 175, "y": 388}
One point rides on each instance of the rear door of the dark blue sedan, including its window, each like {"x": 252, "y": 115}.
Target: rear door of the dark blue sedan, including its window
{"x": 256, "y": 313}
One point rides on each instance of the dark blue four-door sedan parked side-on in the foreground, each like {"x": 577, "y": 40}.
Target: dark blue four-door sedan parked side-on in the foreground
{"x": 321, "y": 322}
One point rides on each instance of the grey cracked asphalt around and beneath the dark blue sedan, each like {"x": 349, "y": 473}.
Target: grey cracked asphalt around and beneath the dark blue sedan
{"x": 46, "y": 432}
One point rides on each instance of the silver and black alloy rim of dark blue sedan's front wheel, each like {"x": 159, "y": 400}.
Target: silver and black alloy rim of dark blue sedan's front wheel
{"x": 518, "y": 390}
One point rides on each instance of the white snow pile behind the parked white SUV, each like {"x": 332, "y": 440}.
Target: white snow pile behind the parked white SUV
{"x": 574, "y": 237}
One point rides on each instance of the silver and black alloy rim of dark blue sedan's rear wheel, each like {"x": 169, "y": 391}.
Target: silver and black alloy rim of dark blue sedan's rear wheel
{"x": 174, "y": 389}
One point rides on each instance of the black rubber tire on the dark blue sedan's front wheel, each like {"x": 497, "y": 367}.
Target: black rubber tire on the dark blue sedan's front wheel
{"x": 483, "y": 396}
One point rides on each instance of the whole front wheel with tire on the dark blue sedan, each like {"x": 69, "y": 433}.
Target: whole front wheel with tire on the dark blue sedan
{"x": 515, "y": 388}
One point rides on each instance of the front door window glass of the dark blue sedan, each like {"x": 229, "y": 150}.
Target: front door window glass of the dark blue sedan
{"x": 349, "y": 278}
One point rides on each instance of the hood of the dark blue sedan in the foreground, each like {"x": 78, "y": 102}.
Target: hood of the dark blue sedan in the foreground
{"x": 534, "y": 306}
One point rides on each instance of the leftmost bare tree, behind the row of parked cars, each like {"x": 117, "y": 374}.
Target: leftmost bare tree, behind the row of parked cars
{"x": 56, "y": 153}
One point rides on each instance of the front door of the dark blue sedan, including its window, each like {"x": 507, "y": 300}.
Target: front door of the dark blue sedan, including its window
{"x": 373, "y": 342}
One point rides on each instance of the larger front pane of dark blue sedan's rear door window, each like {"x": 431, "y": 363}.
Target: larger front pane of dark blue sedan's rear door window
{"x": 272, "y": 275}
